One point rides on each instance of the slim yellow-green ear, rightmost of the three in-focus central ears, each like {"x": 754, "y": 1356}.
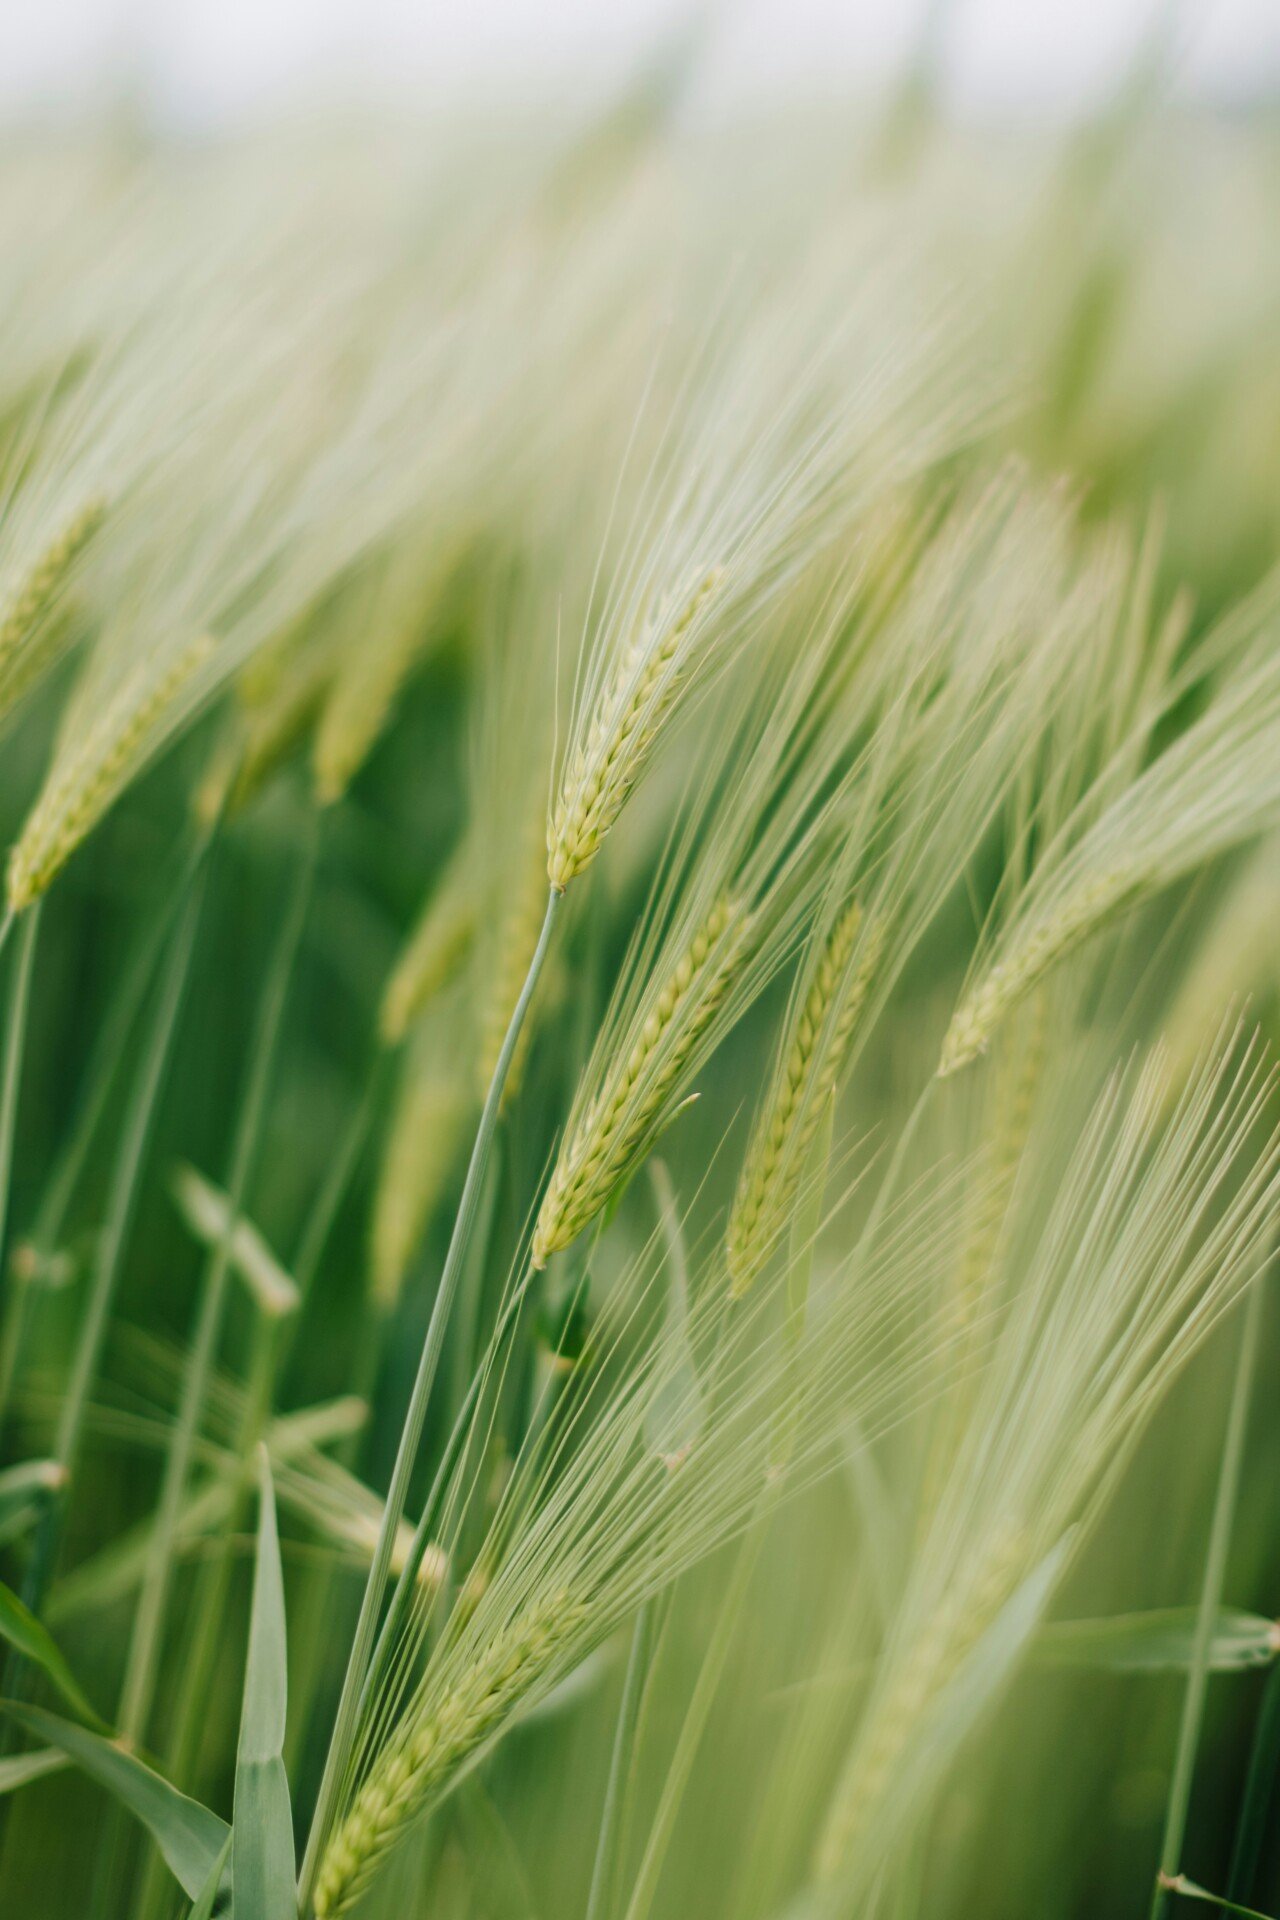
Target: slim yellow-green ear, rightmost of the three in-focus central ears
{"x": 815, "y": 1055}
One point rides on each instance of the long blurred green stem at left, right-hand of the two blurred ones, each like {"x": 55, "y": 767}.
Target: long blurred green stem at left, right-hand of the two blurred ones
{"x": 145, "y": 1644}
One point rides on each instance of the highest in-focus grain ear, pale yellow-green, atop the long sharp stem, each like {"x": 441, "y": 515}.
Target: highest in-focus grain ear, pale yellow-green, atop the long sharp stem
{"x": 625, "y": 727}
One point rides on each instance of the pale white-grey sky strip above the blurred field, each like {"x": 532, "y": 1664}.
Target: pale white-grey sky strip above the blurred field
{"x": 214, "y": 60}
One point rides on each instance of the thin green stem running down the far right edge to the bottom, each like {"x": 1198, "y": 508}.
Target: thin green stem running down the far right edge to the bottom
{"x": 1210, "y": 1600}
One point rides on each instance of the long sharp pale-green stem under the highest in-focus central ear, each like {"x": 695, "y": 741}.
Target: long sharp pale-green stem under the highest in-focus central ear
{"x": 412, "y": 1433}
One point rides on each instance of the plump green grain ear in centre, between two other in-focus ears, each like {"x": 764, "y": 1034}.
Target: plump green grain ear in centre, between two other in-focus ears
{"x": 623, "y": 1116}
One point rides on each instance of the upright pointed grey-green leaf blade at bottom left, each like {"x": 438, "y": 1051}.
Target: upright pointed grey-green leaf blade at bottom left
{"x": 262, "y": 1863}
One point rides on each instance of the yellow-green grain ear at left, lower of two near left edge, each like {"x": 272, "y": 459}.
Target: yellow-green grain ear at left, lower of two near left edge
{"x": 87, "y": 779}
